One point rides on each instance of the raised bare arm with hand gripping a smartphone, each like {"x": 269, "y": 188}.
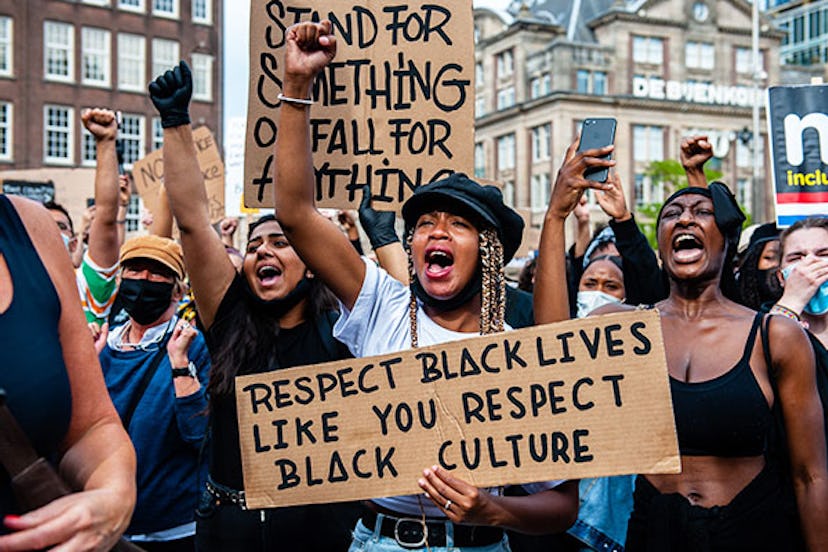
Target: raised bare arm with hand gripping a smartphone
{"x": 550, "y": 295}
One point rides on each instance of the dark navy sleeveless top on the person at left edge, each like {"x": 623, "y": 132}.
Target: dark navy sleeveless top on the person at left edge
{"x": 32, "y": 371}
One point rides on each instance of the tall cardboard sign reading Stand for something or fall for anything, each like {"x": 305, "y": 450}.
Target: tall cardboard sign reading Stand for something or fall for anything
{"x": 394, "y": 109}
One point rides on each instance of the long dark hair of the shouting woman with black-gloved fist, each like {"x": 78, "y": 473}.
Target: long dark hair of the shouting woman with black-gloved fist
{"x": 250, "y": 334}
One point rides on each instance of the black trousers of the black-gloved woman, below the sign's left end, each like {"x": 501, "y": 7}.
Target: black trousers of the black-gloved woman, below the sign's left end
{"x": 314, "y": 528}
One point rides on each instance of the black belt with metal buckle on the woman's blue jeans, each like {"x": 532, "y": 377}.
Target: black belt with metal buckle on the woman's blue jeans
{"x": 413, "y": 532}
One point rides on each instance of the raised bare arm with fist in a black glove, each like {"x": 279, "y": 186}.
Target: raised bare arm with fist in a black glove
{"x": 208, "y": 266}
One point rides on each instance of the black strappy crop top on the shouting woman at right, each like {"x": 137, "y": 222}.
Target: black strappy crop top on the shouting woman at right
{"x": 727, "y": 416}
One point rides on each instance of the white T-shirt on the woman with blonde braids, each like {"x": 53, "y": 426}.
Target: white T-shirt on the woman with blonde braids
{"x": 379, "y": 324}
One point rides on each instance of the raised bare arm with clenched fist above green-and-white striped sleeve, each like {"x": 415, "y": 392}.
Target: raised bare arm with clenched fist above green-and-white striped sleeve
{"x": 104, "y": 241}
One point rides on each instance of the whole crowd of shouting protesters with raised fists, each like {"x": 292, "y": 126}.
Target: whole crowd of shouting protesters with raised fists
{"x": 147, "y": 433}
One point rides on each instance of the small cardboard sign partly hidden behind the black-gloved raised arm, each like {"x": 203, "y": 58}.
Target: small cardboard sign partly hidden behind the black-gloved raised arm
{"x": 148, "y": 174}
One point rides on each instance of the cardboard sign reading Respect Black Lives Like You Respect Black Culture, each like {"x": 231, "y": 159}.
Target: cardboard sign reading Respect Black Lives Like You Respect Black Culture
{"x": 577, "y": 399}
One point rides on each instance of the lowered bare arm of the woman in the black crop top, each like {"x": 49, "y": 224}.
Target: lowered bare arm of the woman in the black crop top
{"x": 794, "y": 364}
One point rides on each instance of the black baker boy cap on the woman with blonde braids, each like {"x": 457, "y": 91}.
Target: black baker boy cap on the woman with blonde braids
{"x": 461, "y": 195}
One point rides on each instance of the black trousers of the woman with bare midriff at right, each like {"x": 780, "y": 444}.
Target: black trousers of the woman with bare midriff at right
{"x": 758, "y": 519}
